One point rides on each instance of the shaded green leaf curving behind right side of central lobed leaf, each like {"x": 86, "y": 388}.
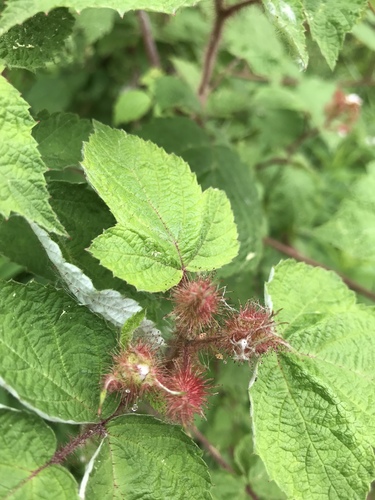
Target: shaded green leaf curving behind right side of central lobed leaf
{"x": 221, "y": 168}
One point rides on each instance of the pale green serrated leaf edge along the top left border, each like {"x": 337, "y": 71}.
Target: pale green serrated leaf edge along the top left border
{"x": 17, "y": 11}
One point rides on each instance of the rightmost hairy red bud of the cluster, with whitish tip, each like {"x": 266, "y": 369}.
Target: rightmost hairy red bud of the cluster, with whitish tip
{"x": 251, "y": 332}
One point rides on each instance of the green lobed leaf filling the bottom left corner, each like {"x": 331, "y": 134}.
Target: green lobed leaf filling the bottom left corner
{"x": 27, "y": 443}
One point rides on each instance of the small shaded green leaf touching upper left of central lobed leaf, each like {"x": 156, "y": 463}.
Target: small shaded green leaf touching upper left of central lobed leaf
{"x": 60, "y": 137}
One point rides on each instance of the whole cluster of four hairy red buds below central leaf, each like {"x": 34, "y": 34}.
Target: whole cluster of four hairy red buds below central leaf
{"x": 173, "y": 378}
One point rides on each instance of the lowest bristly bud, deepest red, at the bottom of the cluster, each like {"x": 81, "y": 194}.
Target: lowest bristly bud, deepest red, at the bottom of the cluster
{"x": 187, "y": 394}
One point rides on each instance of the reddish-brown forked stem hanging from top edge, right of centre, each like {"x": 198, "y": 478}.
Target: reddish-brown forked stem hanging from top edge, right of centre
{"x": 221, "y": 15}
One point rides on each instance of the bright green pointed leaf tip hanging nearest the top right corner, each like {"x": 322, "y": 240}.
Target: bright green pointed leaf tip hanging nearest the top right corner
{"x": 330, "y": 21}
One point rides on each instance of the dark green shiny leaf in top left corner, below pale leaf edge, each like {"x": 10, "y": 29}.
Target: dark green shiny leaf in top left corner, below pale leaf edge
{"x": 38, "y": 41}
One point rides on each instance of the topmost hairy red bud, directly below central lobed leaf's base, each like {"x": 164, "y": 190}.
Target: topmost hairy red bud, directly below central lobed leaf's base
{"x": 196, "y": 303}
